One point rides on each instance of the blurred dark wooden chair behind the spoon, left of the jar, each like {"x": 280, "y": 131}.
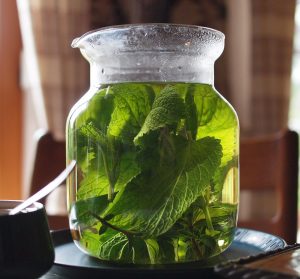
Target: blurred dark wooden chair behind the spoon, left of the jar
{"x": 49, "y": 162}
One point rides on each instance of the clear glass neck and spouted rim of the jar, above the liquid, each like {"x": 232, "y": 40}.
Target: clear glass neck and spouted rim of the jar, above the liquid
{"x": 152, "y": 51}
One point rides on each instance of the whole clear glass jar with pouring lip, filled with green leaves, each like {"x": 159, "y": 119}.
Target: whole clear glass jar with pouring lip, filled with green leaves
{"x": 156, "y": 147}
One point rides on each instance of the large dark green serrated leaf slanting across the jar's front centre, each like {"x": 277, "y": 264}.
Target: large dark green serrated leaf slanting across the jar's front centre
{"x": 151, "y": 204}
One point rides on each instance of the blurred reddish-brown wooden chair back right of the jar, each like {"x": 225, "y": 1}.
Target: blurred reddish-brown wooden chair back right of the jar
{"x": 269, "y": 171}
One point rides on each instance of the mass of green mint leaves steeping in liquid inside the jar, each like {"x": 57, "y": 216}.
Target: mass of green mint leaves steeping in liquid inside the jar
{"x": 153, "y": 160}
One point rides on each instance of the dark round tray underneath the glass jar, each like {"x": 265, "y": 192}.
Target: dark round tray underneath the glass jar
{"x": 70, "y": 262}
